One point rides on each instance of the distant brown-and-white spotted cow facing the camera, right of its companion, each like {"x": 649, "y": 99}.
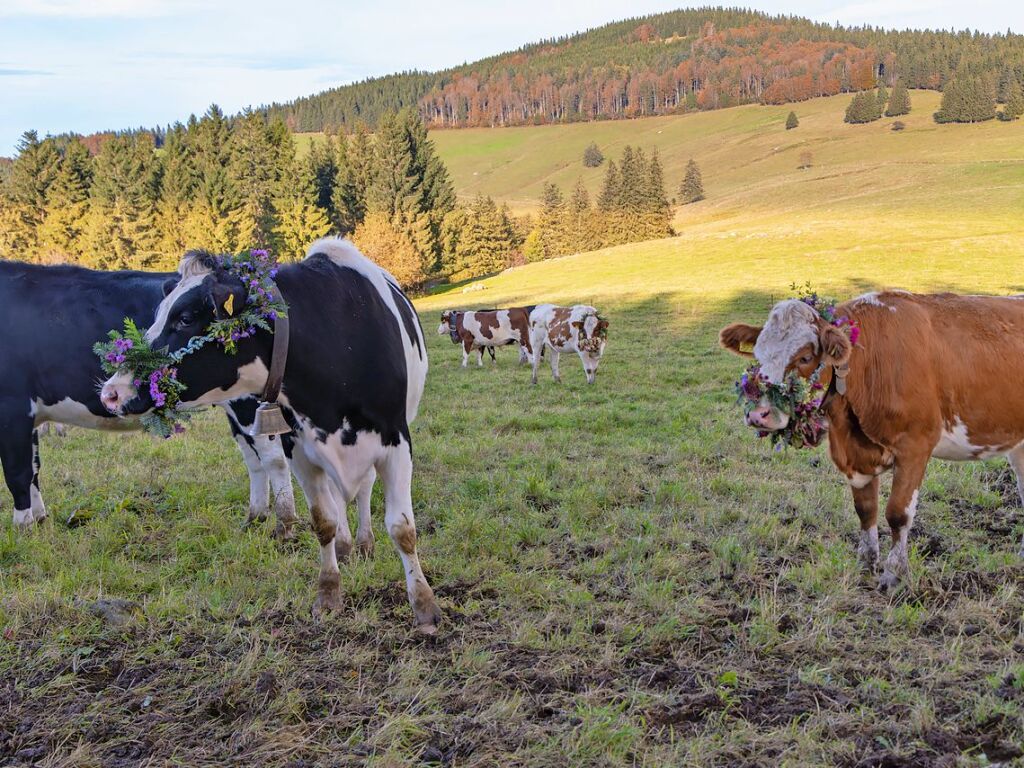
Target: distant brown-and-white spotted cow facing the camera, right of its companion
{"x": 569, "y": 329}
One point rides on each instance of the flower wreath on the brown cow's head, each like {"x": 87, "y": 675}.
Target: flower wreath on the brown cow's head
{"x": 800, "y": 399}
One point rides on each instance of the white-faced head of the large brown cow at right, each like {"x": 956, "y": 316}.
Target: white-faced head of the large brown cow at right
{"x": 797, "y": 339}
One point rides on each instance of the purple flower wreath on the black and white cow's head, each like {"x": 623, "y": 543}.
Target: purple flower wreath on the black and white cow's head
{"x": 127, "y": 352}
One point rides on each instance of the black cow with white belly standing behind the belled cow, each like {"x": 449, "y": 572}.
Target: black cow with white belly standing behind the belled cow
{"x": 52, "y": 317}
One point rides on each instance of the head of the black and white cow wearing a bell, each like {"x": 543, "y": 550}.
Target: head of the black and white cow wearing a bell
{"x": 205, "y": 292}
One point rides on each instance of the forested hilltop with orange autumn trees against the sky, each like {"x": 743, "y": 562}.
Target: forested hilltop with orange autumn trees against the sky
{"x": 667, "y": 64}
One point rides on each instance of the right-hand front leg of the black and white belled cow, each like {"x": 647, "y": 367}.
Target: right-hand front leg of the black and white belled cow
{"x": 397, "y": 472}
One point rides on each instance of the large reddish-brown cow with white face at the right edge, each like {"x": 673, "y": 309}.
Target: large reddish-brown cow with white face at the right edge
{"x": 930, "y": 376}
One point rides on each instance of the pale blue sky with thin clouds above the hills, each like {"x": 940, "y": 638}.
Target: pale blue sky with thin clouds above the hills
{"x": 92, "y": 65}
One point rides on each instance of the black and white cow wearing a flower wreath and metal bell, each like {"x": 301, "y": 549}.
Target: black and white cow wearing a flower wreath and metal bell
{"x": 356, "y": 372}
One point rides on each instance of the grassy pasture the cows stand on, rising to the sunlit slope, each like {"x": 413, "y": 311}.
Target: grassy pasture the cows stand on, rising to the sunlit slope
{"x": 628, "y": 577}
